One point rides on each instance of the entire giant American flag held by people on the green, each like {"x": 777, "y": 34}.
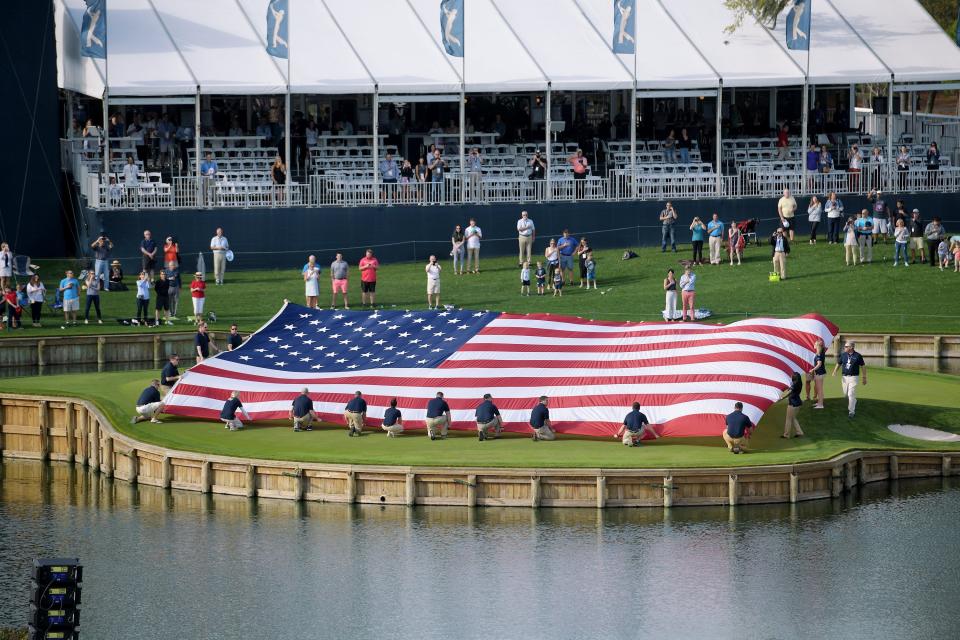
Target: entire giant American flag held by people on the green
{"x": 685, "y": 376}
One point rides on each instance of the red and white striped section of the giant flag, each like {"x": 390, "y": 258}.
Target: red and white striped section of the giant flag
{"x": 686, "y": 377}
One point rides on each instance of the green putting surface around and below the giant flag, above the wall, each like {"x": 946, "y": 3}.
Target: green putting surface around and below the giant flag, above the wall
{"x": 892, "y": 396}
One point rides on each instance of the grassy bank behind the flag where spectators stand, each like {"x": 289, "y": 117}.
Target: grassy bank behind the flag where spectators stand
{"x": 873, "y": 298}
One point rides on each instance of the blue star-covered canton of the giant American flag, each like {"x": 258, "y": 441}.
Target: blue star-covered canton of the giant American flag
{"x": 308, "y": 340}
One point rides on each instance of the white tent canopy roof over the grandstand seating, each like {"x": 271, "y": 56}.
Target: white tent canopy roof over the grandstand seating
{"x": 179, "y": 47}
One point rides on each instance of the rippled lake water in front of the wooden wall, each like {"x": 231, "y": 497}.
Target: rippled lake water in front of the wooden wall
{"x": 879, "y": 563}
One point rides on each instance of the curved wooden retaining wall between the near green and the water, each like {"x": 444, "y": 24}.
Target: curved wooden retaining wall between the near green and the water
{"x": 74, "y": 431}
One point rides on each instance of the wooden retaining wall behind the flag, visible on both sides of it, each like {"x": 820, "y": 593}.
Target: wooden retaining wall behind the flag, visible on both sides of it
{"x": 157, "y": 347}
